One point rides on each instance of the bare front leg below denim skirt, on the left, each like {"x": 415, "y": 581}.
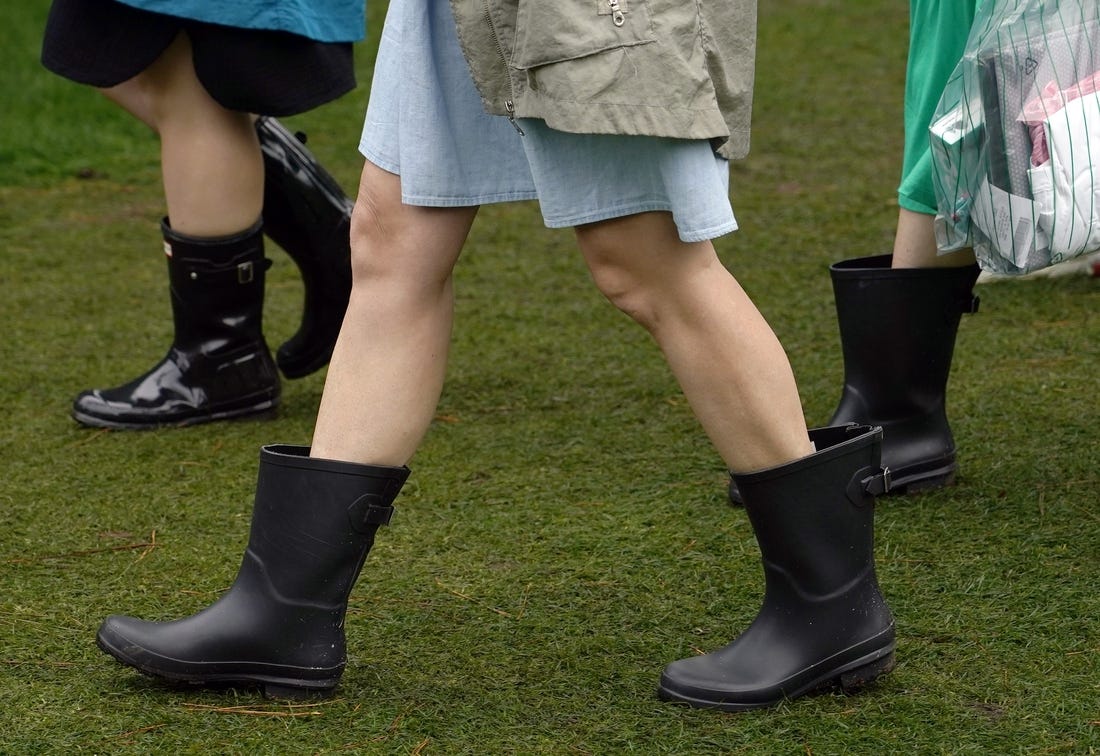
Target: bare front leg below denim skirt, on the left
{"x": 388, "y": 370}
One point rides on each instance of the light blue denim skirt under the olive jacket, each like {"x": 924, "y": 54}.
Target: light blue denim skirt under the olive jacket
{"x": 425, "y": 123}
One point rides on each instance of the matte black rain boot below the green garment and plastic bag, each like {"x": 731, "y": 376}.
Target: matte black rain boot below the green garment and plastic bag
{"x": 898, "y": 330}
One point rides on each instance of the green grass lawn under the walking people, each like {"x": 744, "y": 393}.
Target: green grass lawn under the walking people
{"x": 565, "y": 533}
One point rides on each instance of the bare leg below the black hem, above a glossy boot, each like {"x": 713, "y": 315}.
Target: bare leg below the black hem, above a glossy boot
{"x": 211, "y": 158}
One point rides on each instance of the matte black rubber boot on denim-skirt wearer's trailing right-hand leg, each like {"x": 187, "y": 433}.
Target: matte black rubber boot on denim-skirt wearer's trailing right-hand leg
{"x": 824, "y": 622}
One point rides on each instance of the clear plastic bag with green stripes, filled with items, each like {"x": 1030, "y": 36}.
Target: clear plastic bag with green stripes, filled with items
{"x": 1016, "y": 138}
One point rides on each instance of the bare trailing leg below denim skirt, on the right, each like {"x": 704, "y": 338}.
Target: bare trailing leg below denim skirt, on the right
{"x": 725, "y": 356}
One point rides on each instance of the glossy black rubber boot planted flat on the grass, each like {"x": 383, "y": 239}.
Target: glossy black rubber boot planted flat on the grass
{"x": 219, "y": 366}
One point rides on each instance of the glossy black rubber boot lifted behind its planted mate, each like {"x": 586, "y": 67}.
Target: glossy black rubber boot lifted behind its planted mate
{"x": 307, "y": 214}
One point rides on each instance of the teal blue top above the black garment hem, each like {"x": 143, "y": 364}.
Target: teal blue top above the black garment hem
{"x": 322, "y": 20}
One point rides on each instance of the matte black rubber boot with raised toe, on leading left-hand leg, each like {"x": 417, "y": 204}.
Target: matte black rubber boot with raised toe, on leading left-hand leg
{"x": 281, "y": 626}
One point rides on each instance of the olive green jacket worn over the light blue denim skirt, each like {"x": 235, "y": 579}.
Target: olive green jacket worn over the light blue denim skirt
{"x": 679, "y": 69}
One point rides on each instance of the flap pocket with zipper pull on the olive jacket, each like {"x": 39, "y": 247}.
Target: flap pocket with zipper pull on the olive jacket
{"x": 552, "y": 31}
